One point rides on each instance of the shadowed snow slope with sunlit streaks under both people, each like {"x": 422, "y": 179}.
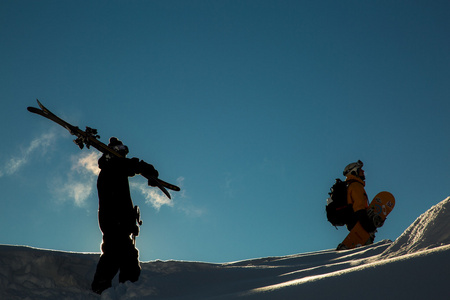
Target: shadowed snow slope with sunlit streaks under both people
{"x": 415, "y": 266}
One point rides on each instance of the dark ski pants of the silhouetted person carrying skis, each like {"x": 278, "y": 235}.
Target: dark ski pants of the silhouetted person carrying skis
{"x": 118, "y": 254}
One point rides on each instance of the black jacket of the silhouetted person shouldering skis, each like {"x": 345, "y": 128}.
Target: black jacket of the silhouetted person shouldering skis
{"x": 116, "y": 210}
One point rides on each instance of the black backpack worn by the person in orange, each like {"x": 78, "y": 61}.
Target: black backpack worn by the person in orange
{"x": 338, "y": 211}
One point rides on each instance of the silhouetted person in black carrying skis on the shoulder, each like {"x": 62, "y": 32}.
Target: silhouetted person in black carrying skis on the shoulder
{"x": 118, "y": 216}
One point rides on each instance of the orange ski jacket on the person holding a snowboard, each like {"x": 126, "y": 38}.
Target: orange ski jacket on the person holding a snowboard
{"x": 357, "y": 198}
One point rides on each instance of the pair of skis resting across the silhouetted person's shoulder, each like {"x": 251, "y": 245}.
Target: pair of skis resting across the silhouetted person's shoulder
{"x": 89, "y": 137}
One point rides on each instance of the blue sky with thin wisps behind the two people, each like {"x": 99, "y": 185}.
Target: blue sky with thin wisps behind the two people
{"x": 252, "y": 107}
